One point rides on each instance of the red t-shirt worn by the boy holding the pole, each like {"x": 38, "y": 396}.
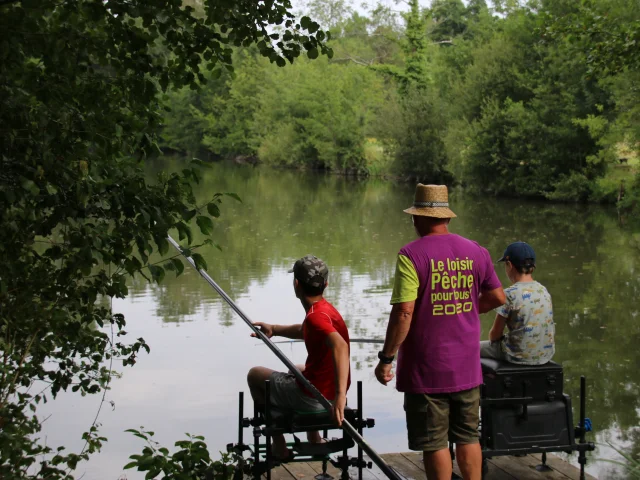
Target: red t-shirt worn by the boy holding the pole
{"x": 321, "y": 320}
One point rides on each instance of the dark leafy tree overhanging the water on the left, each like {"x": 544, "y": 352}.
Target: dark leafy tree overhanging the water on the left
{"x": 79, "y": 107}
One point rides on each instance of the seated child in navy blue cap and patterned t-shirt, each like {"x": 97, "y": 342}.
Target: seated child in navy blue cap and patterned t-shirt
{"x": 528, "y": 314}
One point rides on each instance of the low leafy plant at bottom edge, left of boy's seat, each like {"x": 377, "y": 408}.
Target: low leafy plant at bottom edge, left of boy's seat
{"x": 191, "y": 461}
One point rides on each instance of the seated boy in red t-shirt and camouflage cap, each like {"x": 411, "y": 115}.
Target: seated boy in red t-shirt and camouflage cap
{"x": 327, "y": 340}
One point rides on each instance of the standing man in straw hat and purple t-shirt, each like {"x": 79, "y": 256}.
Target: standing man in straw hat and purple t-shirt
{"x": 443, "y": 282}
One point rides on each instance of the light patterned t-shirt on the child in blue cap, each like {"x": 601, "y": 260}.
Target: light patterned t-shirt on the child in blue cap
{"x": 529, "y": 314}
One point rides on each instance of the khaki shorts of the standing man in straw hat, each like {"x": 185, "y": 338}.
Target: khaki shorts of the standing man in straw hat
{"x": 435, "y": 419}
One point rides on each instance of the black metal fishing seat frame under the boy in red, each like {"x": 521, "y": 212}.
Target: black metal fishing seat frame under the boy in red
{"x": 269, "y": 420}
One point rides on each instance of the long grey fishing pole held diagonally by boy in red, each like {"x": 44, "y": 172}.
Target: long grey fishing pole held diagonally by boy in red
{"x": 346, "y": 426}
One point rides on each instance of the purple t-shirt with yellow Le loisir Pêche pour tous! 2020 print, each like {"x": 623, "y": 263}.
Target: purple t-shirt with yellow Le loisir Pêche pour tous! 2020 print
{"x": 441, "y": 353}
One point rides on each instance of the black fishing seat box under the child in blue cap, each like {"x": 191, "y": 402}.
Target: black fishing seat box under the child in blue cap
{"x": 523, "y": 407}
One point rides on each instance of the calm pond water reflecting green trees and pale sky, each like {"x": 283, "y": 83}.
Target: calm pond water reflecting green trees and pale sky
{"x": 200, "y": 351}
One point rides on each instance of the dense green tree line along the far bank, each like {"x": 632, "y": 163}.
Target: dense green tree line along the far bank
{"x": 522, "y": 99}
